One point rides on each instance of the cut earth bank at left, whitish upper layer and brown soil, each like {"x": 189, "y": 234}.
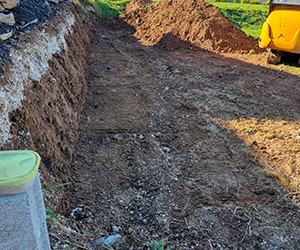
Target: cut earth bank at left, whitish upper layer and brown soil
{"x": 42, "y": 92}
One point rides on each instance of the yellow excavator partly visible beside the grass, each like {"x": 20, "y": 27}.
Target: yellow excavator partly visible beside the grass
{"x": 281, "y": 32}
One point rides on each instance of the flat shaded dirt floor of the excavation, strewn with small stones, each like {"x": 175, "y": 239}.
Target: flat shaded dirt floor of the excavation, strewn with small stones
{"x": 154, "y": 160}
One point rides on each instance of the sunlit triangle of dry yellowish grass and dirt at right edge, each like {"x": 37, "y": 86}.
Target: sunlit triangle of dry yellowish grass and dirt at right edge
{"x": 275, "y": 144}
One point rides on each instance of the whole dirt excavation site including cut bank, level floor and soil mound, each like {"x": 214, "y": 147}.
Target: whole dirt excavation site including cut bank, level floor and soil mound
{"x": 142, "y": 114}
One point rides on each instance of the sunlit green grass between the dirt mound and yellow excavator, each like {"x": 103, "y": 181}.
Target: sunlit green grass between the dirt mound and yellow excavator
{"x": 248, "y": 17}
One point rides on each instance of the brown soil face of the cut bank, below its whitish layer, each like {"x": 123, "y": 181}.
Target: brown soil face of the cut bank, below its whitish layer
{"x": 48, "y": 120}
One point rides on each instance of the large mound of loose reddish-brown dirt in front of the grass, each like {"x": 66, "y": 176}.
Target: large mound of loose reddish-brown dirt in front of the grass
{"x": 196, "y": 22}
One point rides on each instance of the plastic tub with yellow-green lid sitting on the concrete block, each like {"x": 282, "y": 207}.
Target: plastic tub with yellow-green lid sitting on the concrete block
{"x": 18, "y": 168}
